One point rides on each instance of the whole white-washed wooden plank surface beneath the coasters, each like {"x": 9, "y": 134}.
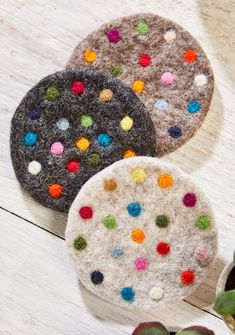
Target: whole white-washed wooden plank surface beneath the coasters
{"x": 39, "y": 292}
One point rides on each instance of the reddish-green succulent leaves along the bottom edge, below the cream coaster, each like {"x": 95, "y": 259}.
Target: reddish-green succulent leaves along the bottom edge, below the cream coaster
{"x": 156, "y": 328}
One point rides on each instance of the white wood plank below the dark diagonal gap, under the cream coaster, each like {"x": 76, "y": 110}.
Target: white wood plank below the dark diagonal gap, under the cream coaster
{"x": 40, "y": 293}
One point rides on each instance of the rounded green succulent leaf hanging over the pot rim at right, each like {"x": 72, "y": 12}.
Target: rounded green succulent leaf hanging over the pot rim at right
{"x": 224, "y": 303}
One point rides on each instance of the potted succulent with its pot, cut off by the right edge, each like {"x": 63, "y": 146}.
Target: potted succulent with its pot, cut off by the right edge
{"x": 224, "y": 303}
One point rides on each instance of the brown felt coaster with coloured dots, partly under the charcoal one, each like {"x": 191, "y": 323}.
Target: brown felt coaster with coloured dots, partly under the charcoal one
{"x": 163, "y": 64}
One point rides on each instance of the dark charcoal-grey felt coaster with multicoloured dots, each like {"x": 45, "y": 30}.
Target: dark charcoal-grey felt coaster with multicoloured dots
{"x": 71, "y": 125}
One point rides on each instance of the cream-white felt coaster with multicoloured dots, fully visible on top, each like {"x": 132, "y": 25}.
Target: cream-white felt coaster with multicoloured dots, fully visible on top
{"x": 141, "y": 234}
